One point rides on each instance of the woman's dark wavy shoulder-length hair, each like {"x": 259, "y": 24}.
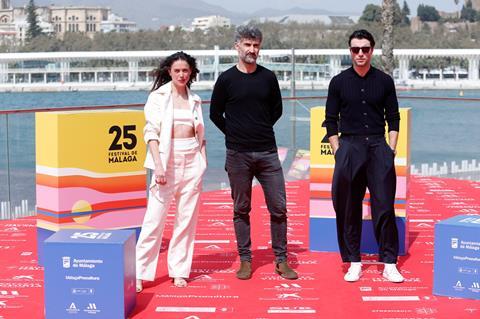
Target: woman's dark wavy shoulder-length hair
{"x": 161, "y": 73}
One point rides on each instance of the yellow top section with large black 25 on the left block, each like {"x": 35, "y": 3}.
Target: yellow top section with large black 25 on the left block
{"x": 104, "y": 141}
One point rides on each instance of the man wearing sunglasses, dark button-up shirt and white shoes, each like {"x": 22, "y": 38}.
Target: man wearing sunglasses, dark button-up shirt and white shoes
{"x": 360, "y": 100}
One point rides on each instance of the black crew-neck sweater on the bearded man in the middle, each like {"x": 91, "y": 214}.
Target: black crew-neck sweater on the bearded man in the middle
{"x": 245, "y": 106}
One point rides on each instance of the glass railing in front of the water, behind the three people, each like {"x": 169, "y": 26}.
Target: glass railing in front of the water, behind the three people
{"x": 443, "y": 143}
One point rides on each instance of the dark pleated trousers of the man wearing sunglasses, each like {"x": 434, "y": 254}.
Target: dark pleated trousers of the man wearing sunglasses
{"x": 361, "y": 162}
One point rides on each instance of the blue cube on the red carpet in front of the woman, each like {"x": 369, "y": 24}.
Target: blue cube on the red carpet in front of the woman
{"x": 89, "y": 274}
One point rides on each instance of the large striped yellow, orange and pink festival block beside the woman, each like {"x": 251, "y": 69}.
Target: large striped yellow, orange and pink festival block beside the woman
{"x": 89, "y": 170}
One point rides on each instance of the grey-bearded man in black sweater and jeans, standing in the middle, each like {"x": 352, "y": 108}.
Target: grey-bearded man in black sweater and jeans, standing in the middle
{"x": 246, "y": 102}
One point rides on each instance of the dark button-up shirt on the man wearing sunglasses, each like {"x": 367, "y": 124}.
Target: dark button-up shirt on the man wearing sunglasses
{"x": 360, "y": 105}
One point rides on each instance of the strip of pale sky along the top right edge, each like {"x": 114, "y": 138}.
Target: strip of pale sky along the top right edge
{"x": 331, "y": 5}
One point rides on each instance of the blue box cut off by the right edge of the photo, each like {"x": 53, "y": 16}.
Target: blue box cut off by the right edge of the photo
{"x": 457, "y": 257}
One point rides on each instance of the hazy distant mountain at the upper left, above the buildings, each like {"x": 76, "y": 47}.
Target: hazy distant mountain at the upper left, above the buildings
{"x": 151, "y": 13}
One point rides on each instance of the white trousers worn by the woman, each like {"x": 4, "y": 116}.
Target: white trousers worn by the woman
{"x": 184, "y": 183}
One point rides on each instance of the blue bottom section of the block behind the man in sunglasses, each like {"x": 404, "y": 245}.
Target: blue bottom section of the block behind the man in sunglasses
{"x": 323, "y": 235}
